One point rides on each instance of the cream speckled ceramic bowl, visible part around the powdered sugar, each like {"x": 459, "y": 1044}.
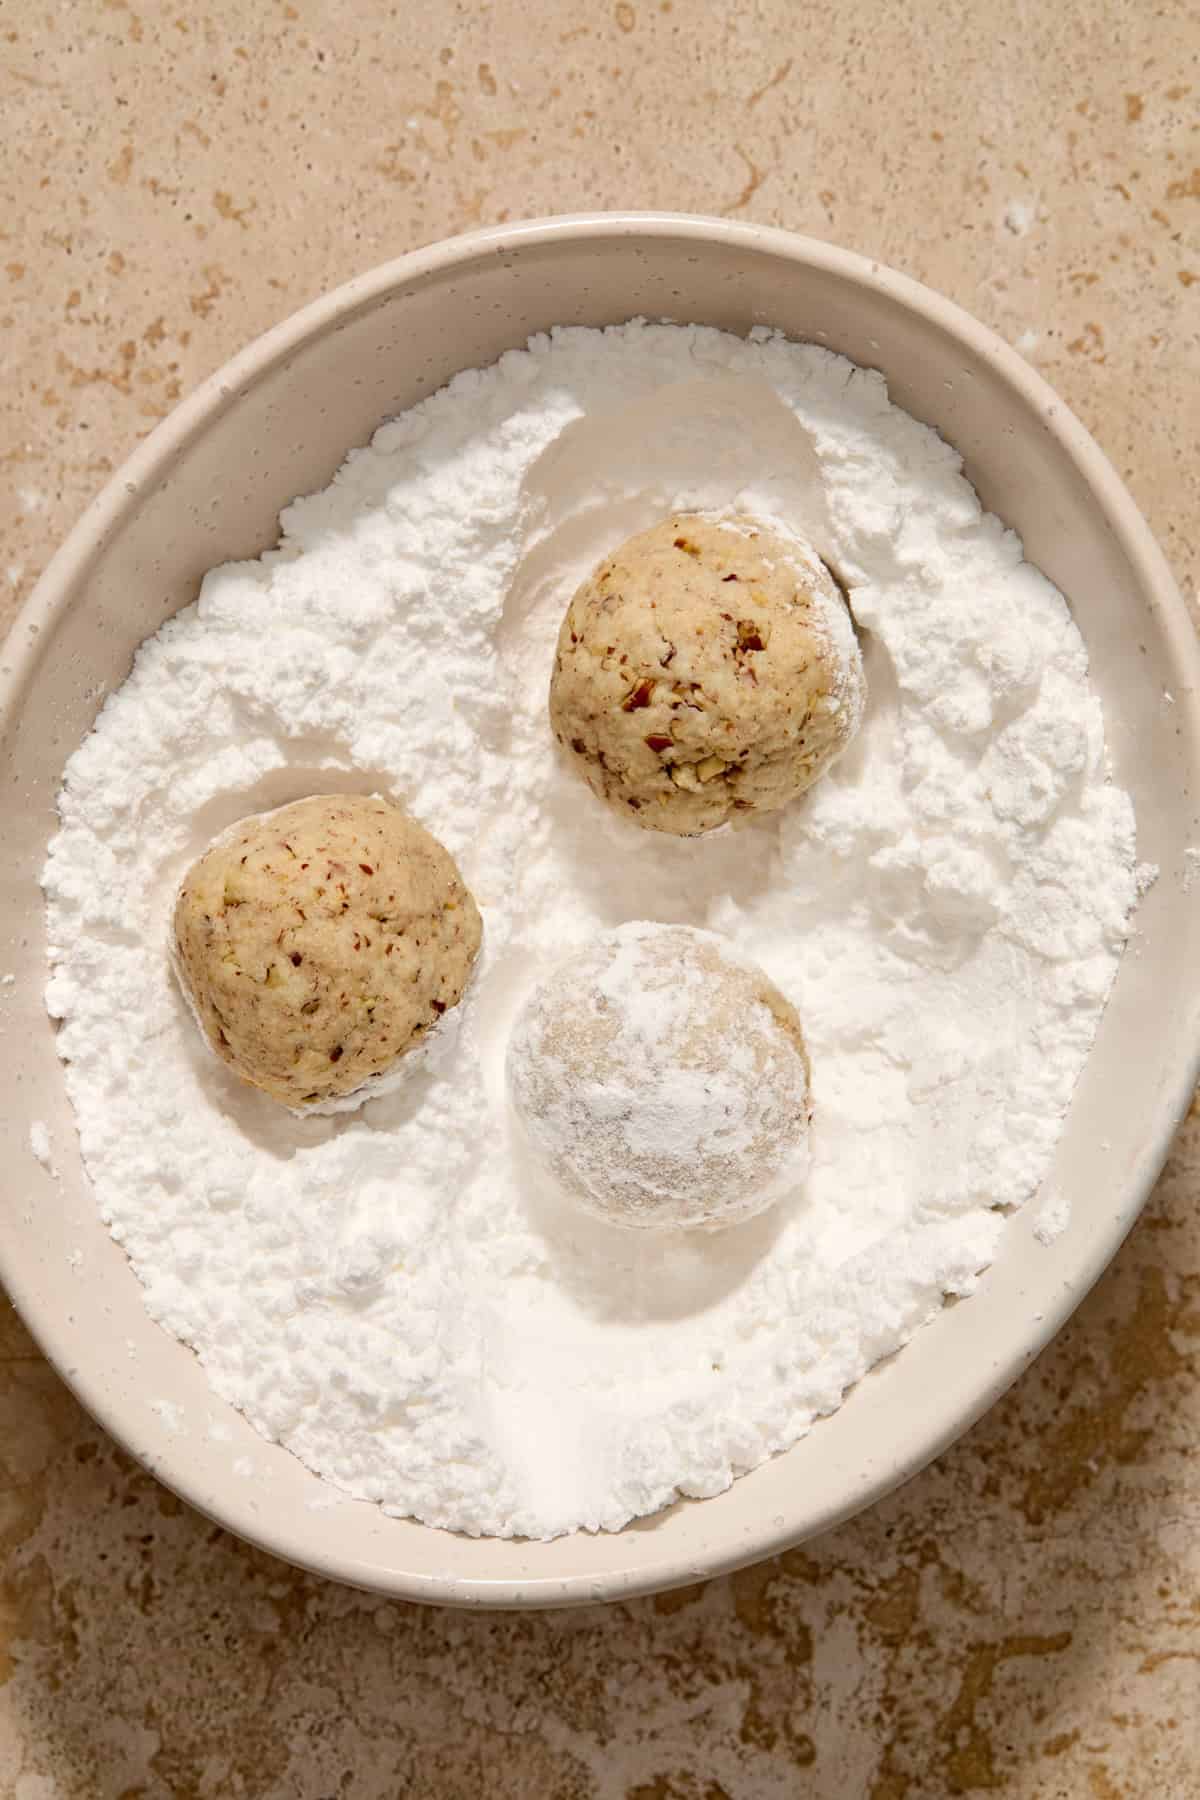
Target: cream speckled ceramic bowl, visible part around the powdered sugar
{"x": 210, "y": 485}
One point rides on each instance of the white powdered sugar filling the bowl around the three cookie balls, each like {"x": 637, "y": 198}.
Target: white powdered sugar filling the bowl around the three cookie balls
{"x": 393, "y": 1293}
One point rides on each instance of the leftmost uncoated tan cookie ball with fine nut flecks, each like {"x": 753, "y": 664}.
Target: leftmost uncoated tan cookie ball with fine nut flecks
{"x": 321, "y": 942}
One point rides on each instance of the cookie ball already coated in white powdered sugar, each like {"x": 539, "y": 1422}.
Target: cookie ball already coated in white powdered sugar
{"x": 663, "y": 1083}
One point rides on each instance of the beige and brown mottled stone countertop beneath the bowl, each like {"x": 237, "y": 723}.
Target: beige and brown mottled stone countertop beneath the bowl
{"x": 1026, "y": 1615}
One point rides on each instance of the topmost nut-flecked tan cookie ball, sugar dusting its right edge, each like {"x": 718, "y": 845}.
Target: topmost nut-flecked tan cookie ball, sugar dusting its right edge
{"x": 708, "y": 670}
